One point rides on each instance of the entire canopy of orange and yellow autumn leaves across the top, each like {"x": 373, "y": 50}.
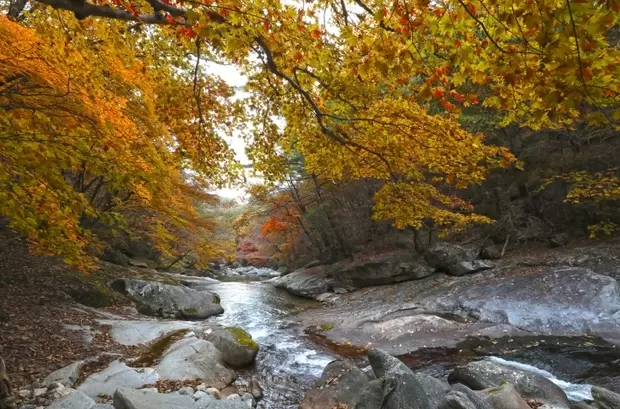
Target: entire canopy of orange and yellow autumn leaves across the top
{"x": 107, "y": 109}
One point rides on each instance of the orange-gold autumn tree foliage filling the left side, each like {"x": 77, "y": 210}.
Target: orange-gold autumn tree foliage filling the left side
{"x": 97, "y": 131}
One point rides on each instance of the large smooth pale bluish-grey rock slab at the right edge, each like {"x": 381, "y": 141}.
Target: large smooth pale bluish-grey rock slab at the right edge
{"x": 571, "y": 301}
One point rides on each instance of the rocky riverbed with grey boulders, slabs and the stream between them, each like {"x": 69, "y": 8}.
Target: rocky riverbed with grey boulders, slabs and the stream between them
{"x": 541, "y": 331}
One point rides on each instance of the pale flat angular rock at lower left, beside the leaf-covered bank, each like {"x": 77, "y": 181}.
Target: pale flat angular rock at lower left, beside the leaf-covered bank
{"x": 117, "y": 375}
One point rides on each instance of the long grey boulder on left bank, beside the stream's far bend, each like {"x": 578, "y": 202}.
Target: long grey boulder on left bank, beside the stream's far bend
{"x": 169, "y": 301}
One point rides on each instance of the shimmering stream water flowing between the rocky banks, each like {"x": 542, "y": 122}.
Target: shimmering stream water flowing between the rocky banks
{"x": 287, "y": 364}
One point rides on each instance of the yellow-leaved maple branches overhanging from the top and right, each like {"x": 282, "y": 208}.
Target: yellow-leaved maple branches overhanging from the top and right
{"x": 372, "y": 89}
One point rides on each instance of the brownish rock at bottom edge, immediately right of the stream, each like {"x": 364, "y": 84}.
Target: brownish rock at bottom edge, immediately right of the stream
{"x": 340, "y": 382}
